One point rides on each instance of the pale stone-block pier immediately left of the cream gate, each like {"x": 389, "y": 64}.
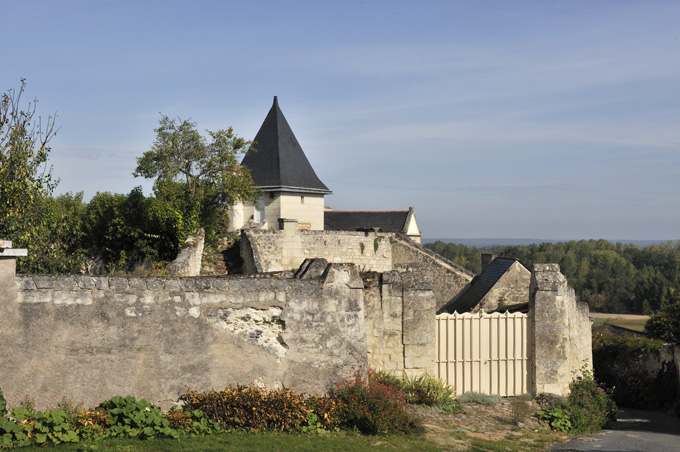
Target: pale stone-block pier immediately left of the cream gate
{"x": 400, "y": 322}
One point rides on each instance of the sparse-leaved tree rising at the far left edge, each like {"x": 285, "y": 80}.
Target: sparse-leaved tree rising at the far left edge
{"x": 25, "y": 178}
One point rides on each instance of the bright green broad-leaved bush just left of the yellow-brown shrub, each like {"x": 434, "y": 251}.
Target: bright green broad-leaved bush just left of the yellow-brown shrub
{"x": 132, "y": 418}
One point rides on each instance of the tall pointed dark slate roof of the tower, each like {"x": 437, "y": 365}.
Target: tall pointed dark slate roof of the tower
{"x": 277, "y": 161}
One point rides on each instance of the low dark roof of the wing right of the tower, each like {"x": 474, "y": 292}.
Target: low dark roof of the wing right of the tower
{"x": 393, "y": 221}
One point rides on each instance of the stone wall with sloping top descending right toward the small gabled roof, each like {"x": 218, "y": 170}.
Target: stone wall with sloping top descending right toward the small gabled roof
{"x": 448, "y": 279}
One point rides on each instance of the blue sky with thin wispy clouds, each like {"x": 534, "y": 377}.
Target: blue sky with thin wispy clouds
{"x": 525, "y": 119}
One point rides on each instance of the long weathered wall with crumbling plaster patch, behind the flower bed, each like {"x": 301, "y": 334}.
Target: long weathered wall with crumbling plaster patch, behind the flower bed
{"x": 95, "y": 337}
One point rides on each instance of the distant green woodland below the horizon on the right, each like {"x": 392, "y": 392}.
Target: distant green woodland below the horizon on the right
{"x": 610, "y": 277}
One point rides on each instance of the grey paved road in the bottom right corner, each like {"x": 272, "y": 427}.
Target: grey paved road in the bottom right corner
{"x": 635, "y": 431}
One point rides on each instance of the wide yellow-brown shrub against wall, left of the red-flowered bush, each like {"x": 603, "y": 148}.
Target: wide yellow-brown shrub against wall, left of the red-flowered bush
{"x": 250, "y": 408}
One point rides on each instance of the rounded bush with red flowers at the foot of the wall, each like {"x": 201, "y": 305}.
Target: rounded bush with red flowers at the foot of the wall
{"x": 371, "y": 406}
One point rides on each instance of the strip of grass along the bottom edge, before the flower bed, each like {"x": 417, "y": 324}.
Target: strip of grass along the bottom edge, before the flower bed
{"x": 275, "y": 442}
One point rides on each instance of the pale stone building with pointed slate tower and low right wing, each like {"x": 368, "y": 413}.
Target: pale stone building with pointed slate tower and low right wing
{"x": 293, "y": 193}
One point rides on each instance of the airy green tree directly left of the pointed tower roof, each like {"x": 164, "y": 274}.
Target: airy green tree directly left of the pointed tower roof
{"x": 199, "y": 177}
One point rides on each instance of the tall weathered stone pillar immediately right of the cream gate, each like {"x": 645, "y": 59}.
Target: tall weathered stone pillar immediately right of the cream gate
{"x": 561, "y": 339}
